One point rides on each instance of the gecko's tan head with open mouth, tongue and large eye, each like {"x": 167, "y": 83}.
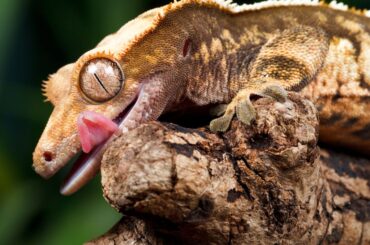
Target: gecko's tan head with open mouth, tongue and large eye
{"x": 126, "y": 80}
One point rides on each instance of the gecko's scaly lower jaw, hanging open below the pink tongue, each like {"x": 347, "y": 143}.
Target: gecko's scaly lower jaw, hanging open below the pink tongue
{"x": 147, "y": 104}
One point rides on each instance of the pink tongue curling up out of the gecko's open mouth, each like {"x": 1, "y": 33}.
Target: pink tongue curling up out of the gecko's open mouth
{"x": 93, "y": 129}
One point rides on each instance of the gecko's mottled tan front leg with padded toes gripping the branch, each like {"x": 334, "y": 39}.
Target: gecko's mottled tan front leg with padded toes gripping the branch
{"x": 289, "y": 60}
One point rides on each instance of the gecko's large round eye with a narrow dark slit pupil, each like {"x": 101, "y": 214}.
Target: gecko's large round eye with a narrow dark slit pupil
{"x": 101, "y": 79}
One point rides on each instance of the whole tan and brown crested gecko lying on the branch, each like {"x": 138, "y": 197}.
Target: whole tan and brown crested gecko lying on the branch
{"x": 202, "y": 52}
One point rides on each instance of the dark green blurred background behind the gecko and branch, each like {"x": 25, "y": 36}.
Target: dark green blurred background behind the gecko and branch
{"x": 36, "y": 38}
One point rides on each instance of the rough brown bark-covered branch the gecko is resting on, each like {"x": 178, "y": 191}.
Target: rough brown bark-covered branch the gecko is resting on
{"x": 258, "y": 184}
